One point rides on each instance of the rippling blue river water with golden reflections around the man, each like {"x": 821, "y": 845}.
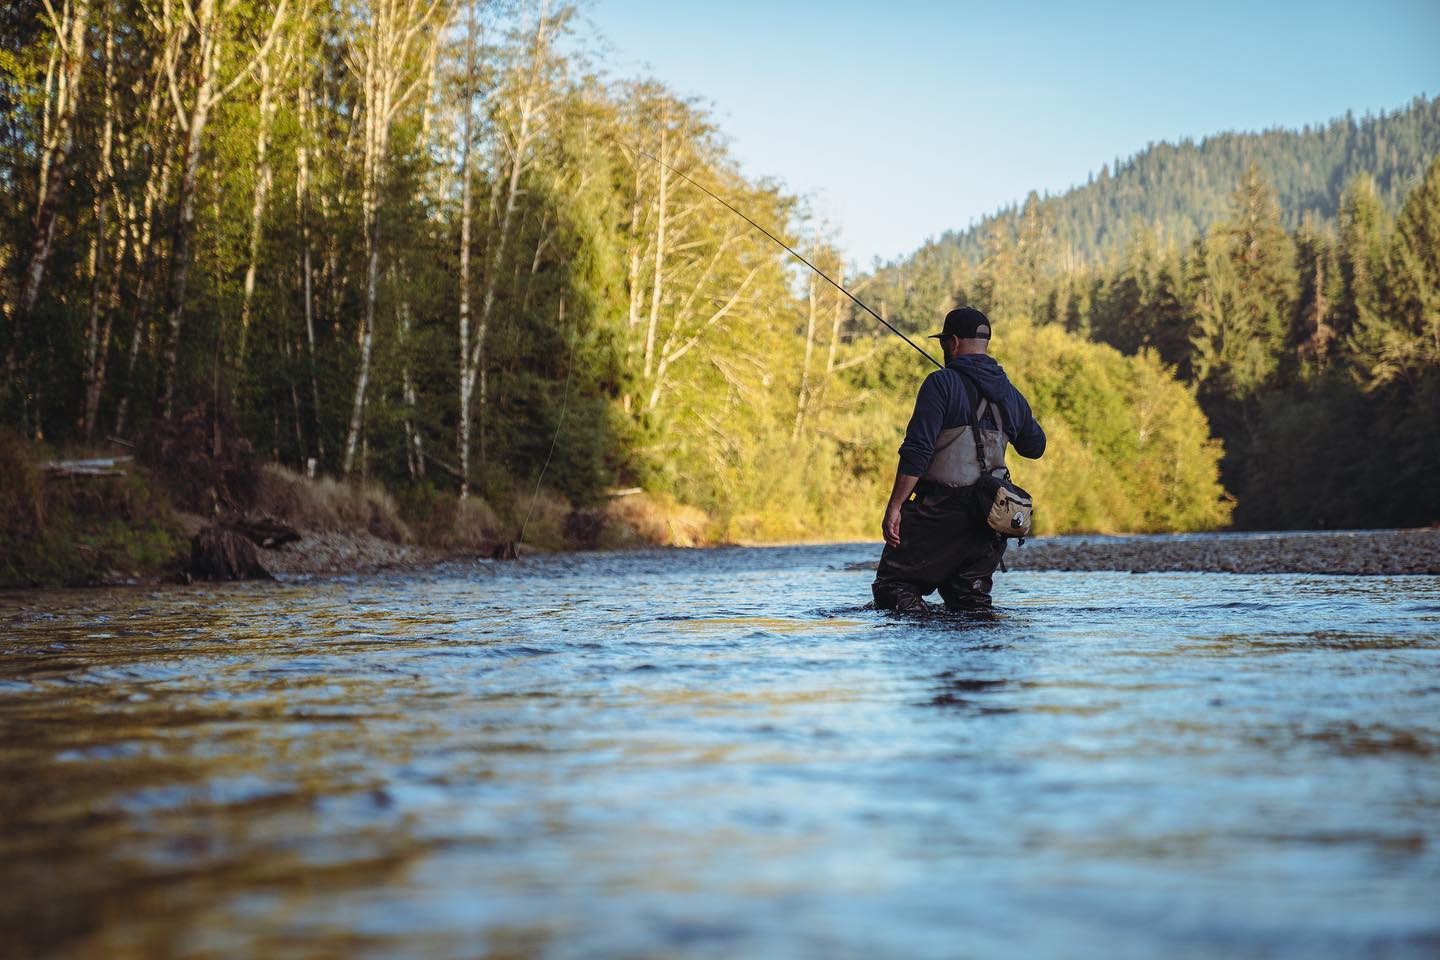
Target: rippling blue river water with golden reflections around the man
{"x": 722, "y": 755}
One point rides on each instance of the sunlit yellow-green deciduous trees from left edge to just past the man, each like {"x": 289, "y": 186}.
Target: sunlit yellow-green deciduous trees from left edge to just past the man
{"x": 420, "y": 243}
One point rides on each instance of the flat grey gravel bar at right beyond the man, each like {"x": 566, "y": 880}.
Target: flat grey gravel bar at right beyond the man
{"x": 1364, "y": 553}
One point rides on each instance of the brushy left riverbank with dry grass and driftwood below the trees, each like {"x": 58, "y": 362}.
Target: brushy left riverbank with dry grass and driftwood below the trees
{"x": 194, "y": 502}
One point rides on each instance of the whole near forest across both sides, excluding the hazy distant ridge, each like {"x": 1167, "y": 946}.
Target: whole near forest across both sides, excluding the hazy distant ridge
{"x": 421, "y": 244}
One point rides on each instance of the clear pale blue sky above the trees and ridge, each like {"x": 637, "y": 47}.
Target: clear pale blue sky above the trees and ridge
{"x": 905, "y": 120}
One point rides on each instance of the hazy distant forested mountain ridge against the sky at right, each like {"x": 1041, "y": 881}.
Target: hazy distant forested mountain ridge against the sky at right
{"x": 1184, "y": 188}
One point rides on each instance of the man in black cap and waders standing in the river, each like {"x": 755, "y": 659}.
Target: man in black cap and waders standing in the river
{"x": 935, "y": 532}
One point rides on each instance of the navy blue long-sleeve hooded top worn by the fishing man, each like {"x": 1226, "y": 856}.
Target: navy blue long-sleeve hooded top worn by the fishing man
{"x": 947, "y": 401}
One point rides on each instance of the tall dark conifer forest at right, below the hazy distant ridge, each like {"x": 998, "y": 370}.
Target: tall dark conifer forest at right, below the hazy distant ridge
{"x": 1315, "y": 352}
